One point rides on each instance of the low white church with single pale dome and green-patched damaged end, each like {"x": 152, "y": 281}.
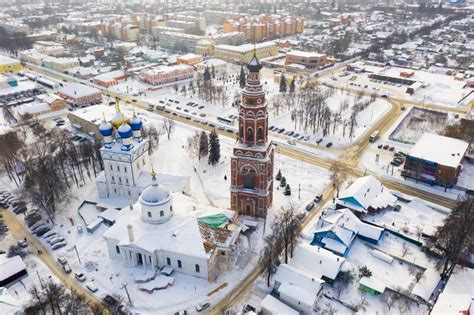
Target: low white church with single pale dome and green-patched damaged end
{"x": 154, "y": 234}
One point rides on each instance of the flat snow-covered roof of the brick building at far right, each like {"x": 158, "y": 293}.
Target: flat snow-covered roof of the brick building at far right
{"x": 440, "y": 149}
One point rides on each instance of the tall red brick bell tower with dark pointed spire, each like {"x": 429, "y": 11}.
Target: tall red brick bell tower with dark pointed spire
{"x": 251, "y": 190}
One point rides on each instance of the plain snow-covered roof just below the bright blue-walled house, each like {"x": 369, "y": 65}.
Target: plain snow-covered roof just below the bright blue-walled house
{"x": 317, "y": 261}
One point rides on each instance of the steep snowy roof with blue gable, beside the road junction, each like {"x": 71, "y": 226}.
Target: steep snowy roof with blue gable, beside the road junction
{"x": 367, "y": 192}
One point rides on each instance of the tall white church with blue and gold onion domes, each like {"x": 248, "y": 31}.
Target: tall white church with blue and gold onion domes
{"x": 125, "y": 157}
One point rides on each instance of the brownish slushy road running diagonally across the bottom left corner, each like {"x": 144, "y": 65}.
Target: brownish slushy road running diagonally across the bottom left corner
{"x": 19, "y": 232}
